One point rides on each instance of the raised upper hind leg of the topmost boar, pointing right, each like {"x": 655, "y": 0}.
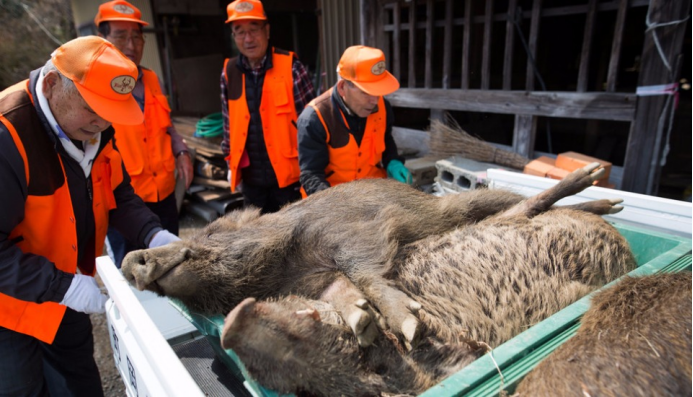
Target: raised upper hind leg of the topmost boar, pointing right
{"x": 574, "y": 183}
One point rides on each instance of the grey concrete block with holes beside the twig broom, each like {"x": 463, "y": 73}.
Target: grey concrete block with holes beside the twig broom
{"x": 460, "y": 174}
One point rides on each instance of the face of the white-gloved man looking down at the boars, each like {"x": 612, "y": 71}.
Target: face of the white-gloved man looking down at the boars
{"x": 75, "y": 117}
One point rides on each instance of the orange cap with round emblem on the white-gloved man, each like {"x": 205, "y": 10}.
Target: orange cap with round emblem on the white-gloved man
{"x": 103, "y": 76}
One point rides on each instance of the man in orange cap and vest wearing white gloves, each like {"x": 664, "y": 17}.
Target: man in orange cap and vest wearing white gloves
{"x": 63, "y": 182}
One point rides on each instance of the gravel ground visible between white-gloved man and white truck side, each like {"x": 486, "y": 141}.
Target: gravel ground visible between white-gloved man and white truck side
{"x": 113, "y": 385}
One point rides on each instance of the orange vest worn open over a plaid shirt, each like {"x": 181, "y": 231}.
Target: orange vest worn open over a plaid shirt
{"x": 278, "y": 114}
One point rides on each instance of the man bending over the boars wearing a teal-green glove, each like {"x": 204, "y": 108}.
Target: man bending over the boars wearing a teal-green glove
{"x": 345, "y": 134}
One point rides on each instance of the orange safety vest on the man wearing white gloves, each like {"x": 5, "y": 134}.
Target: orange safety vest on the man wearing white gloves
{"x": 48, "y": 228}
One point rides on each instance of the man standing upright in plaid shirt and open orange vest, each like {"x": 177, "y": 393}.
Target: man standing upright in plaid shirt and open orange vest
{"x": 262, "y": 90}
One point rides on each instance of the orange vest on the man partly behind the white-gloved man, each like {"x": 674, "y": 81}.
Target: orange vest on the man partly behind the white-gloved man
{"x": 146, "y": 148}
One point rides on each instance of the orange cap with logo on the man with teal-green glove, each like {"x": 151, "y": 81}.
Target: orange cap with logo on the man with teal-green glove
{"x": 365, "y": 67}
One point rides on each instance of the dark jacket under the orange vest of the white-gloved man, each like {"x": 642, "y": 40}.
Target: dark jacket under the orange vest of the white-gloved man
{"x": 33, "y": 278}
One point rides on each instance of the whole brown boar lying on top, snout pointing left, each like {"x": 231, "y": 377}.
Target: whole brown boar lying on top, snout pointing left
{"x": 352, "y": 231}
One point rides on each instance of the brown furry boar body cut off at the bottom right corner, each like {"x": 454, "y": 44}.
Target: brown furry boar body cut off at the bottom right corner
{"x": 635, "y": 340}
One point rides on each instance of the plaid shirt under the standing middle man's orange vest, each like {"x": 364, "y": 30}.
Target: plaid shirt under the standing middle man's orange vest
{"x": 303, "y": 92}
